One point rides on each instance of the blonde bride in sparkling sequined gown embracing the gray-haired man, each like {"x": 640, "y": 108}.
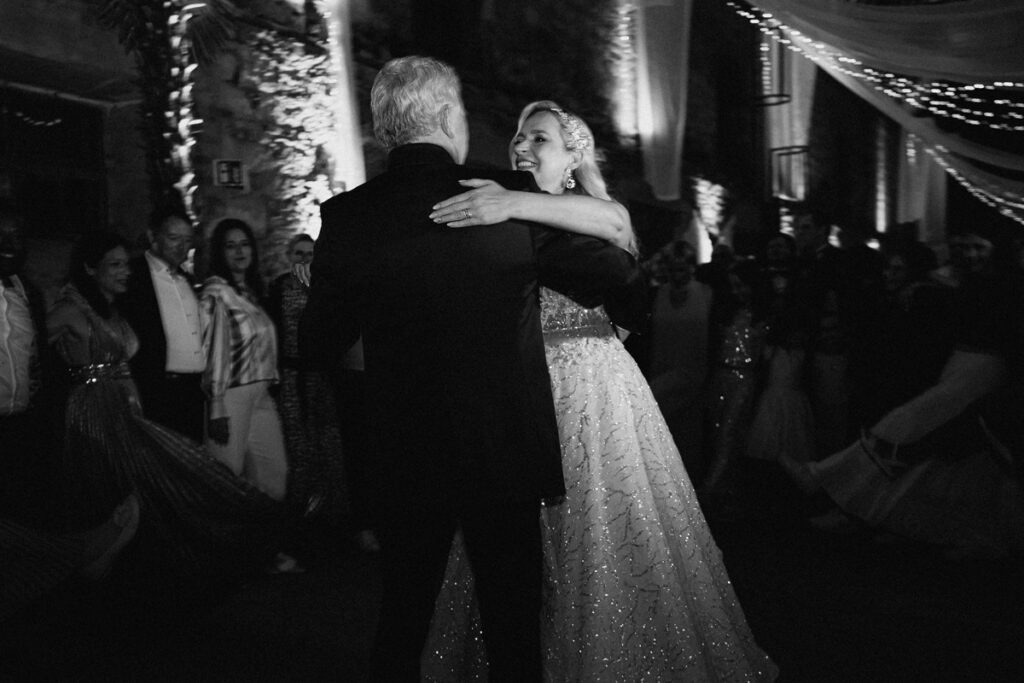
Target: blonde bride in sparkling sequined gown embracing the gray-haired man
{"x": 635, "y": 587}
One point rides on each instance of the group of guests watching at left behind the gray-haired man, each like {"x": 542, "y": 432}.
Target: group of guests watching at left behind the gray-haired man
{"x": 189, "y": 426}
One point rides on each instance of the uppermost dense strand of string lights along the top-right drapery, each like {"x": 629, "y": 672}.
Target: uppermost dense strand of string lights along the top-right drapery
{"x": 983, "y": 105}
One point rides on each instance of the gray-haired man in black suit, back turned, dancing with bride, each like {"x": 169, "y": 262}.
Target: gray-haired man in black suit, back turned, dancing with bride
{"x": 458, "y": 394}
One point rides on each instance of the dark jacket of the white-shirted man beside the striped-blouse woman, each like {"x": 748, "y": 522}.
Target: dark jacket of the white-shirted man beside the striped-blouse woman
{"x": 141, "y": 309}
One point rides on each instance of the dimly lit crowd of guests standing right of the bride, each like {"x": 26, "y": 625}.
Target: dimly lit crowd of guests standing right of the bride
{"x": 882, "y": 377}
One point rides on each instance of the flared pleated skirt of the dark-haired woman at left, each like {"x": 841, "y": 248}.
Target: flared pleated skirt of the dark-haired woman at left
{"x": 197, "y": 517}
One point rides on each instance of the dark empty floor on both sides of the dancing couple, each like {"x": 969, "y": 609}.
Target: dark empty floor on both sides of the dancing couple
{"x": 826, "y": 608}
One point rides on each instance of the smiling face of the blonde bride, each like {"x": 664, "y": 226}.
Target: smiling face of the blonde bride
{"x": 539, "y": 148}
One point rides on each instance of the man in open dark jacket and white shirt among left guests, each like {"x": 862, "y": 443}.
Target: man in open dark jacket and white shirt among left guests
{"x": 162, "y": 309}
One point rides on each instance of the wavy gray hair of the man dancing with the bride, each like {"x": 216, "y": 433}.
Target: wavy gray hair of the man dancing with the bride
{"x": 409, "y": 99}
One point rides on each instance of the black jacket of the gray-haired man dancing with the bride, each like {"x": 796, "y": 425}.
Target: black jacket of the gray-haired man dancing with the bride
{"x": 458, "y": 395}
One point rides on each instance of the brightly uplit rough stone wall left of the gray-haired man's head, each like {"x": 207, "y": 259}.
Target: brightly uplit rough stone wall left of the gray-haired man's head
{"x": 268, "y": 104}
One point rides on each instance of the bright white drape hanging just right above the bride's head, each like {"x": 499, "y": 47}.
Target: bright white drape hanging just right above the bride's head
{"x": 663, "y": 69}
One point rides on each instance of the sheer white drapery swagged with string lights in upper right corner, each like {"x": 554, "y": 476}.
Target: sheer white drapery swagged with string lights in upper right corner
{"x": 965, "y": 42}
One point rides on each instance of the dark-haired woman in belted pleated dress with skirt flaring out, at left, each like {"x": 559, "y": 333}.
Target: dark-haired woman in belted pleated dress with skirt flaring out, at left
{"x": 198, "y": 519}
